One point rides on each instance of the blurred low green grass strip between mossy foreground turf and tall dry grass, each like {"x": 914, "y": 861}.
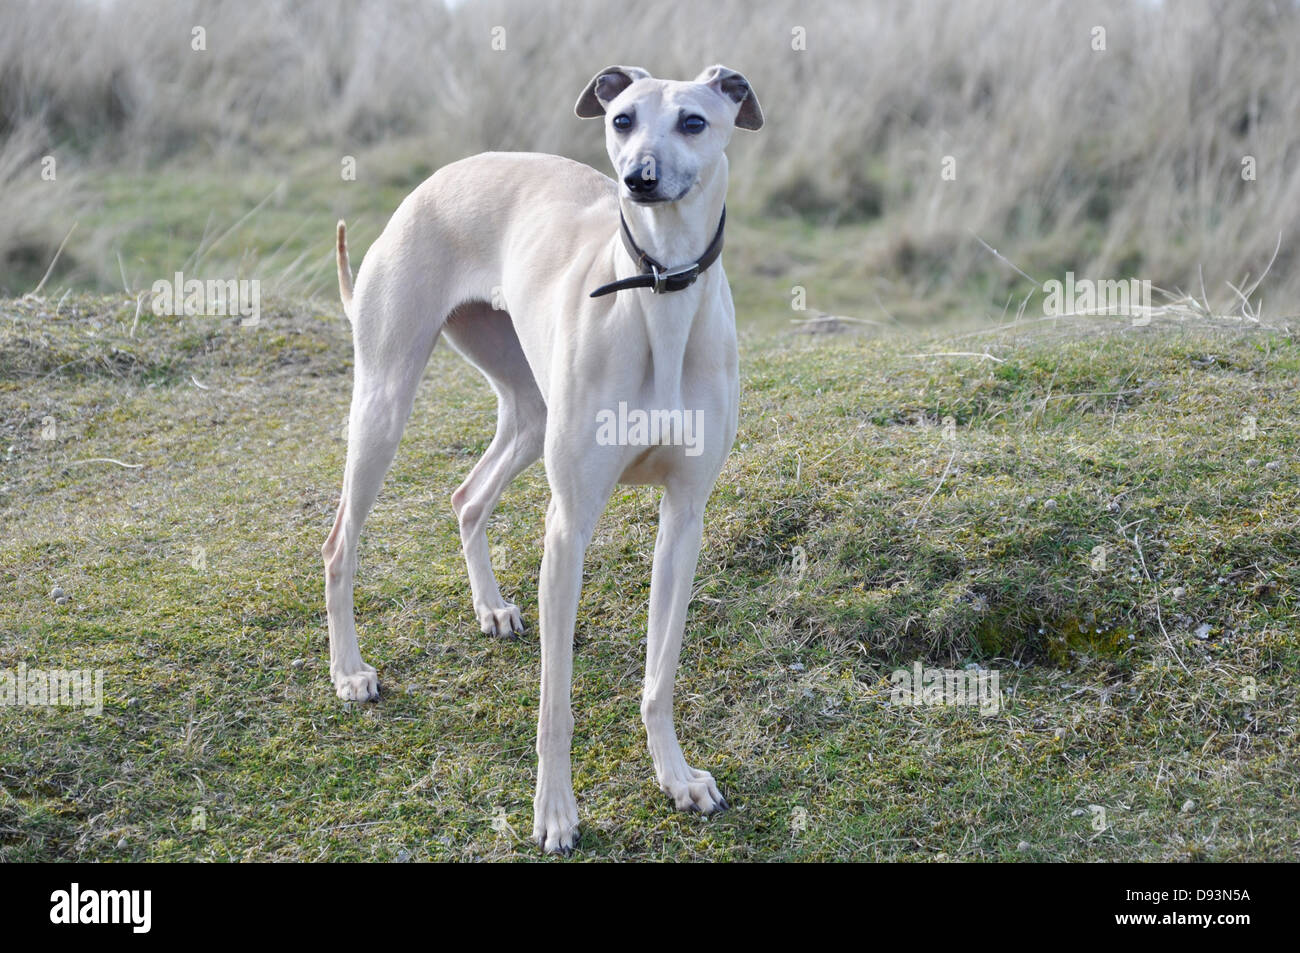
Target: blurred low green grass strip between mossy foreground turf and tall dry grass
{"x": 276, "y": 223}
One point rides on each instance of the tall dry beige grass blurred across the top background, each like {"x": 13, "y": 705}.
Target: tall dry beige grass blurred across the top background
{"x": 1126, "y": 162}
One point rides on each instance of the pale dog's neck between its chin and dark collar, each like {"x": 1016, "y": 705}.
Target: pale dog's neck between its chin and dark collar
{"x": 678, "y": 233}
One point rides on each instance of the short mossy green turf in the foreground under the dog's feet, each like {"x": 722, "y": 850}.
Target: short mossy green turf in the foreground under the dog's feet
{"x": 959, "y": 545}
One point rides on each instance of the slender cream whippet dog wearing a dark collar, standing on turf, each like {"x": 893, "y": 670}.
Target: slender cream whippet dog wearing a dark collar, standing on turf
{"x": 578, "y": 297}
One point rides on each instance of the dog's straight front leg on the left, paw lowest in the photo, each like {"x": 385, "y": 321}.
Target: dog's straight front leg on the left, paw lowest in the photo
{"x": 569, "y": 530}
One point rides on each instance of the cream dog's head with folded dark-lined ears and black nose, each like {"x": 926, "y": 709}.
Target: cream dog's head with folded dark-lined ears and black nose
{"x": 664, "y": 136}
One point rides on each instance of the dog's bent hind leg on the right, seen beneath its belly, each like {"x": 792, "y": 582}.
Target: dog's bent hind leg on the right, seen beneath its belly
{"x": 487, "y": 340}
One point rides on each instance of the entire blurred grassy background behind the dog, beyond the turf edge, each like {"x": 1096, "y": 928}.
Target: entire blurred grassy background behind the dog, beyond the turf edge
{"x": 1125, "y": 162}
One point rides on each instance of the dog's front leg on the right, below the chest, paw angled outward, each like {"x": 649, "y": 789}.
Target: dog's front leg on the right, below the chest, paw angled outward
{"x": 675, "y": 556}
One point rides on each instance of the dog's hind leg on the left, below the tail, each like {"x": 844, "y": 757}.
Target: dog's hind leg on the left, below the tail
{"x": 389, "y": 366}
